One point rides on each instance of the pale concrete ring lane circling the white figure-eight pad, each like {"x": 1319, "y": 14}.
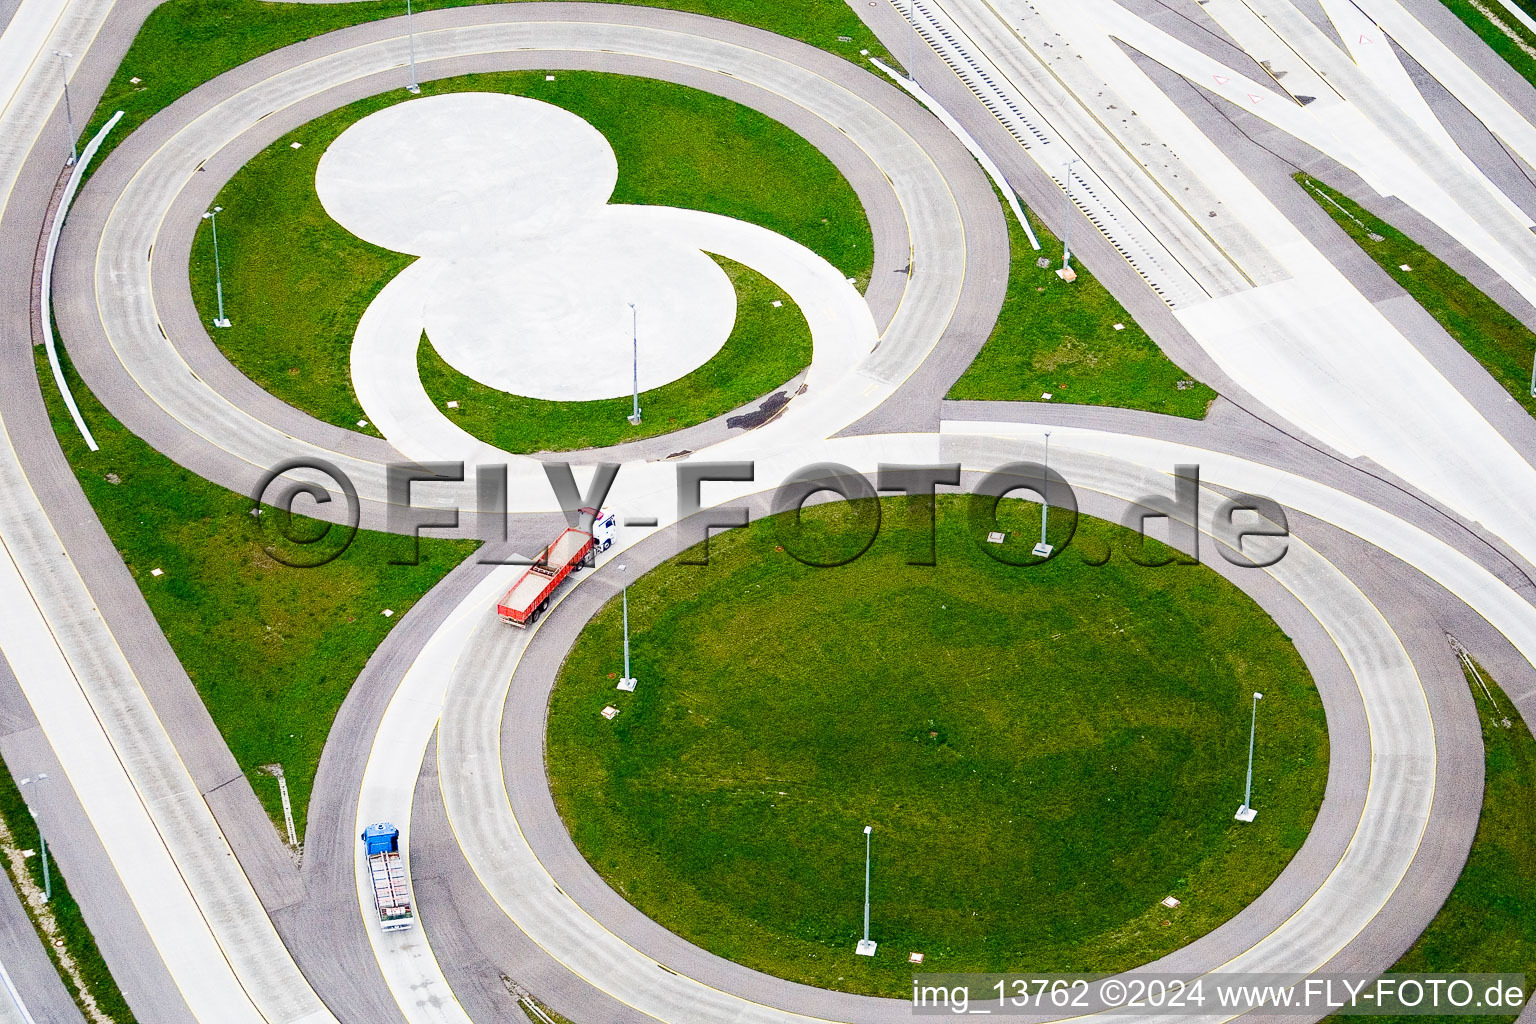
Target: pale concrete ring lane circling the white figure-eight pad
{"x": 136, "y": 339}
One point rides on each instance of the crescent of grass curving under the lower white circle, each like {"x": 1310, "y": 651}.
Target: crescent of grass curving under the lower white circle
{"x": 767, "y": 348}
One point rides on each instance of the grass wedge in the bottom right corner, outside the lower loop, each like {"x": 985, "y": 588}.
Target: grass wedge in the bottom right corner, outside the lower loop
{"x": 1489, "y": 920}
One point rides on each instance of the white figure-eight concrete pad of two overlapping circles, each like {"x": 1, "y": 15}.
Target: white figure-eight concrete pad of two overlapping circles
{"x": 528, "y": 276}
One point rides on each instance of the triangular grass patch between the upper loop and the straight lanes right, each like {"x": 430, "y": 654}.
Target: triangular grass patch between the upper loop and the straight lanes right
{"x": 1061, "y": 339}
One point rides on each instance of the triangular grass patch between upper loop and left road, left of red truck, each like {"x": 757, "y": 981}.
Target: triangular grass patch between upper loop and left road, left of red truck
{"x": 273, "y": 650}
